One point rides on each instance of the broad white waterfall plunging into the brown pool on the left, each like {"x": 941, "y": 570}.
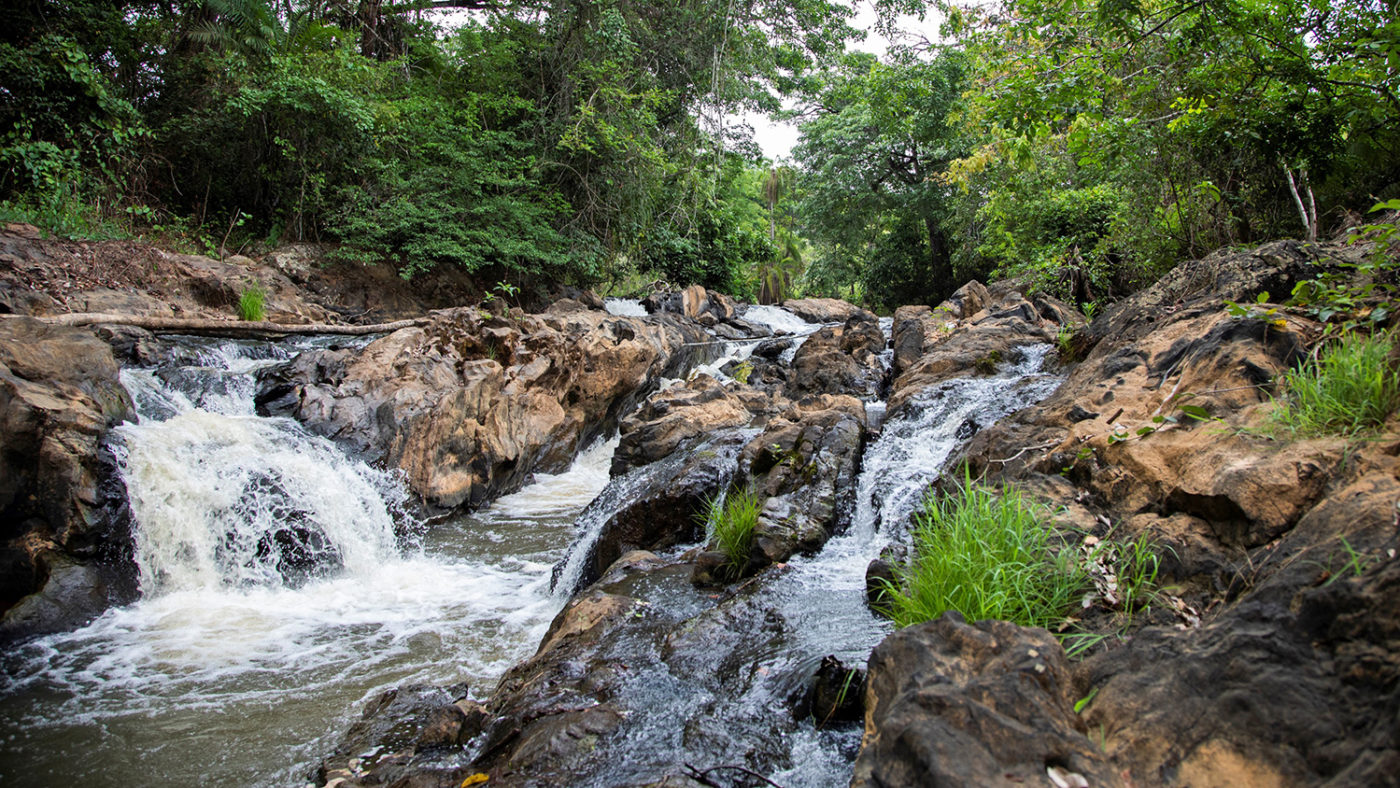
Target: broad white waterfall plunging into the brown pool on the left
{"x": 225, "y": 498}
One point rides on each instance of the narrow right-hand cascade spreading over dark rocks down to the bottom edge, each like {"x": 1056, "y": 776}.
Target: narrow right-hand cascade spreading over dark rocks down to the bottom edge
{"x": 715, "y": 684}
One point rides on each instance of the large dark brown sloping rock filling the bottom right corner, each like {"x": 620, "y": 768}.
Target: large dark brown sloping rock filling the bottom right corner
{"x": 1291, "y": 684}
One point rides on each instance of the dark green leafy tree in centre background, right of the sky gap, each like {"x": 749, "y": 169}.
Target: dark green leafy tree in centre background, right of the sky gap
{"x": 871, "y": 197}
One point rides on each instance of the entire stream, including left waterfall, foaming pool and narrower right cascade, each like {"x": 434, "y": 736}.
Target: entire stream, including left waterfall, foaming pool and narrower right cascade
{"x": 283, "y": 584}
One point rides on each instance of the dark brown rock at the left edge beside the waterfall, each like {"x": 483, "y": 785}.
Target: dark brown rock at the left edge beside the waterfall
{"x": 62, "y": 517}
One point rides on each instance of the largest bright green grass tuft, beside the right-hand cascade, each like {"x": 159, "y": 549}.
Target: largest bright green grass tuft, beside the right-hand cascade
{"x": 986, "y": 556}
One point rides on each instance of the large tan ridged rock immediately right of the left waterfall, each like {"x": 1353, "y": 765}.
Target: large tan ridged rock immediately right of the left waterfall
{"x": 474, "y": 404}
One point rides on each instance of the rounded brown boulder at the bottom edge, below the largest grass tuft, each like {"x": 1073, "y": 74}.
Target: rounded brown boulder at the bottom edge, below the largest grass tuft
{"x": 951, "y": 703}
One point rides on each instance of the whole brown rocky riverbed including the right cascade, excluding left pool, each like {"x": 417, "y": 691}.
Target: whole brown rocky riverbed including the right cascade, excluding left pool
{"x": 1266, "y": 659}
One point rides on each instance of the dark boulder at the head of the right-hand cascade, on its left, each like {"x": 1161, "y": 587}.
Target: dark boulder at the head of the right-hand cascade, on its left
{"x": 841, "y": 360}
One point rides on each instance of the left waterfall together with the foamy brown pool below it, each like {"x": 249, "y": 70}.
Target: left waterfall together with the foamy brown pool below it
{"x": 276, "y": 597}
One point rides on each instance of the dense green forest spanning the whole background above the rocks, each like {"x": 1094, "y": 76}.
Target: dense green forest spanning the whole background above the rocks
{"x": 1087, "y": 145}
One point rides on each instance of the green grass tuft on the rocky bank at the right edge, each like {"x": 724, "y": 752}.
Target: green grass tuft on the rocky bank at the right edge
{"x": 1343, "y": 391}
